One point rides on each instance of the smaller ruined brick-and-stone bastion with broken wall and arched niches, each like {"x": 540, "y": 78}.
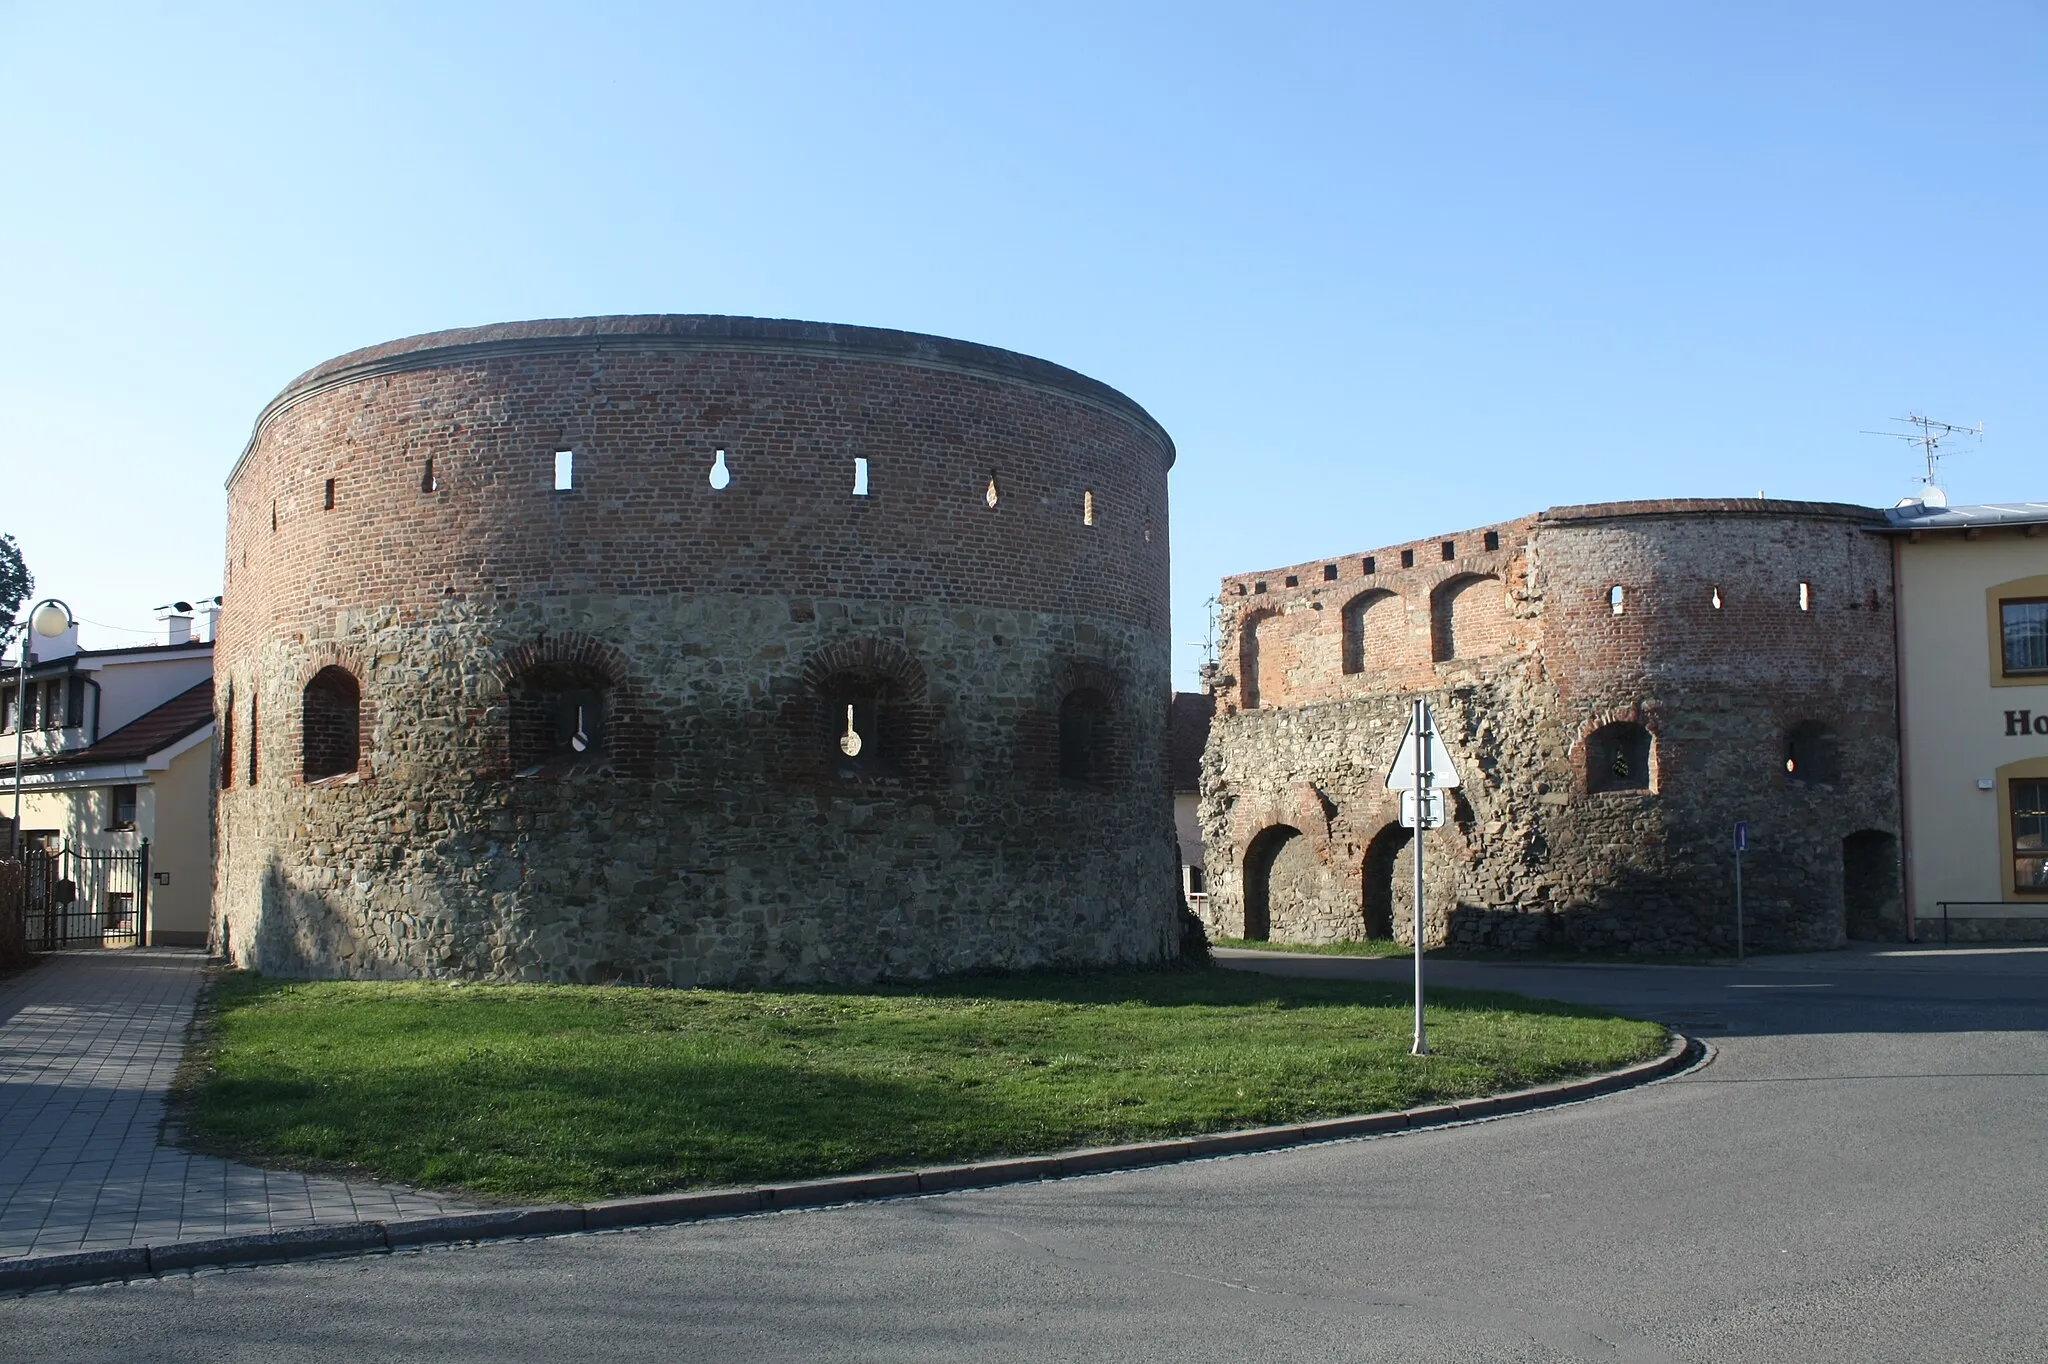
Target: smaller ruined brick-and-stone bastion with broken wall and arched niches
{"x": 1717, "y": 628}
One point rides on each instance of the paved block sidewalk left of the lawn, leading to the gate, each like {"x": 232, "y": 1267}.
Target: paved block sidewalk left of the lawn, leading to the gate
{"x": 89, "y": 1046}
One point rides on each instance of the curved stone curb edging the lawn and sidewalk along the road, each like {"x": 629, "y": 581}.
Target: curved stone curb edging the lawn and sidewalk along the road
{"x": 667, "y": 1209}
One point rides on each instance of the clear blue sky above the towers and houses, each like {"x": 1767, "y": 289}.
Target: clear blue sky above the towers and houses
{"x": 1383, "y": 271}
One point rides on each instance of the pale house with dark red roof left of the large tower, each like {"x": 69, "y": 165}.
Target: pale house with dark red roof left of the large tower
{"x": 118, "y": 753}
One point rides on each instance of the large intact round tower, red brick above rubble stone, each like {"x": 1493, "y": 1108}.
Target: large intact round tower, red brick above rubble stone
{"x": 695, "y": 650}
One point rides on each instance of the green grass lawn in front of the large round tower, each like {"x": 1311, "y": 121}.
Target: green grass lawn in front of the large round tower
{"x": 585, "y": 1093}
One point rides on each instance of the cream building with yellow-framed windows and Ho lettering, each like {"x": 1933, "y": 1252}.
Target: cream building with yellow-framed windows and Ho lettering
{"x": 1973, "y": 708}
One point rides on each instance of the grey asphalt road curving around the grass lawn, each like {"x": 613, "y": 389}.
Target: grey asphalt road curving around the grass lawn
{"x": 1857, "y": 1177}
